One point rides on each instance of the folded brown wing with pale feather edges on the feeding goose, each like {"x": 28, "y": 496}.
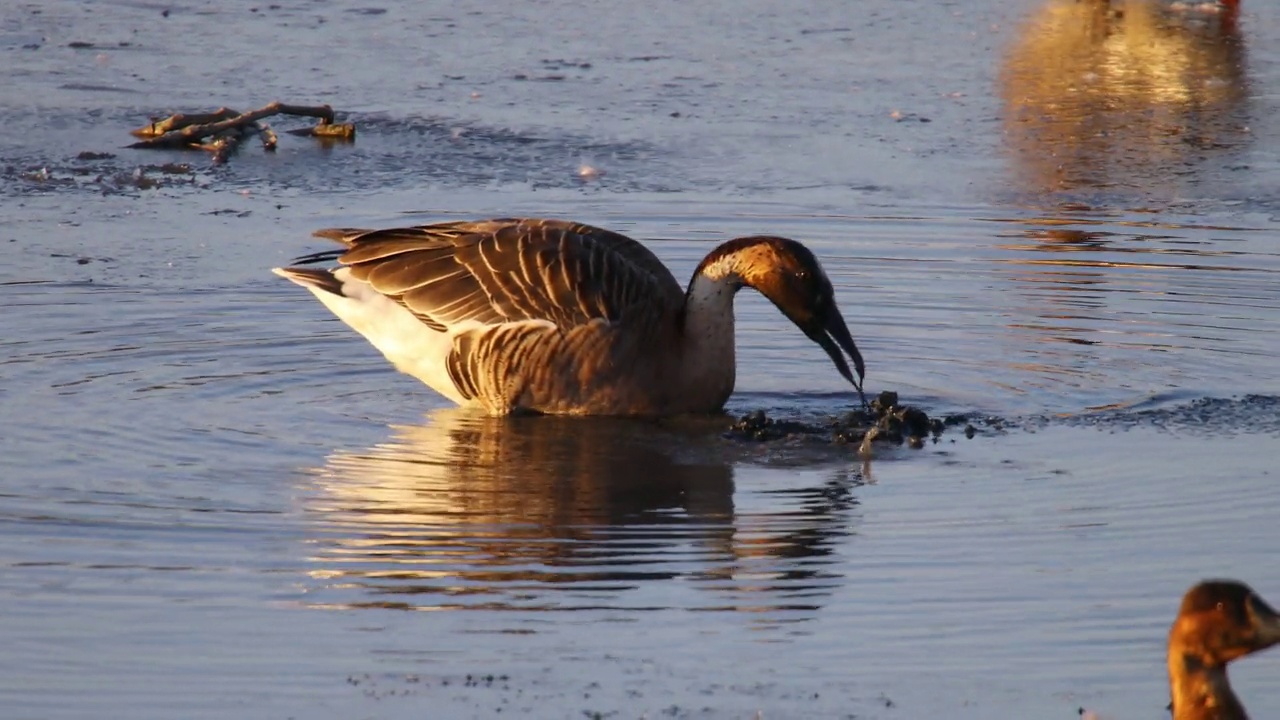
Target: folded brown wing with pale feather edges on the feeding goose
{"x": 505, "y": 271}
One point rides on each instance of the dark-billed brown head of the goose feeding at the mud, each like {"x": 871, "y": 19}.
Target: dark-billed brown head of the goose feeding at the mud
{"x": 790, "y": 276}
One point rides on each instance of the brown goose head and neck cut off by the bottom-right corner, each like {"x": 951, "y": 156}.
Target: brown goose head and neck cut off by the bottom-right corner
{"x": 1219, "y": 622}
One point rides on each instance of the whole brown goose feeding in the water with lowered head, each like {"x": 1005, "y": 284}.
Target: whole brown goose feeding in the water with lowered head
{"x": 563, "y": 318}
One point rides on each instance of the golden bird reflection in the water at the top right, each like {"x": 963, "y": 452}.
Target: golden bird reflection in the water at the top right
{"x": 1126, "y": 98}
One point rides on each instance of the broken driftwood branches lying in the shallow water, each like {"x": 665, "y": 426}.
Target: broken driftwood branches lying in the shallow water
{"x": 222, "y": 131}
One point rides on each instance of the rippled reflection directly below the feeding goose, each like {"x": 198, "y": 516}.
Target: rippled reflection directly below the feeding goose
{"x": 473, "y": 512}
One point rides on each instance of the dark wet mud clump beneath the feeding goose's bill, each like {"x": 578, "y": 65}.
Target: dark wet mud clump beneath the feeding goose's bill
{"x": 885, "y": 422}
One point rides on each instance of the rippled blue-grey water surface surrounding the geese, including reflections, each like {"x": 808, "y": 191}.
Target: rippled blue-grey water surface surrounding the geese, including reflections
{"x": 218, "y": 502}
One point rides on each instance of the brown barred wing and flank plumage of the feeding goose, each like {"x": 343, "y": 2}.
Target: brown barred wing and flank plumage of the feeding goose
{"x": 550, "y": 298}
